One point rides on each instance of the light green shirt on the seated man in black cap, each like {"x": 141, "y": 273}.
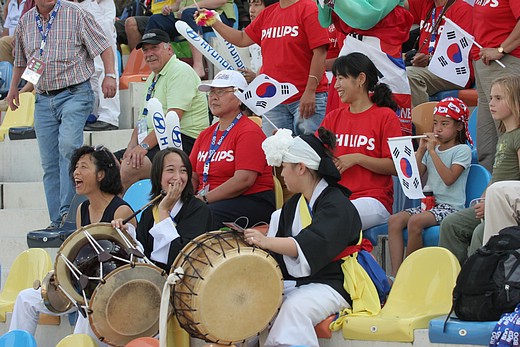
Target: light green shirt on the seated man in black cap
{"x": 177, "y": 87}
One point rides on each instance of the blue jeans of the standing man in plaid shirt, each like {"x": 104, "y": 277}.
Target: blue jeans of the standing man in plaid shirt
{"x": 59, "y": 120}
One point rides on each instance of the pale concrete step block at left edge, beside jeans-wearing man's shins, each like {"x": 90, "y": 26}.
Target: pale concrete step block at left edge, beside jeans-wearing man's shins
{"x": 22, "y": 195}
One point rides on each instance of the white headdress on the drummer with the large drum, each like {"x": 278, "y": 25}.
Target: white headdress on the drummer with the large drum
{"x": 282, "y": 147}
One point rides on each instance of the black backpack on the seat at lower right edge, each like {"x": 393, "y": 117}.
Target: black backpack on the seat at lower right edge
{"x": 489, "y": 282}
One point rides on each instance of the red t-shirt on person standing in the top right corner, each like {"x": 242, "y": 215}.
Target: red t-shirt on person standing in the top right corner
{"x": 493, "y": 22}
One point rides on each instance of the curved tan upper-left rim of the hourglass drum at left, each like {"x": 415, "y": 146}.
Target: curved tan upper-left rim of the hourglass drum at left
{"x": 67, "y": 248}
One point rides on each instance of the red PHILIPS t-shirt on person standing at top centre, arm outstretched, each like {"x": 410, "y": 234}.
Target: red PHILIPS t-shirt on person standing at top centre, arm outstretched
{"x": 287, "y": 37}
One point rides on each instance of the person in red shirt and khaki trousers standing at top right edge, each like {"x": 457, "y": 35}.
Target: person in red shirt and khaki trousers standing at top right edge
{"x": 496, "y": 27}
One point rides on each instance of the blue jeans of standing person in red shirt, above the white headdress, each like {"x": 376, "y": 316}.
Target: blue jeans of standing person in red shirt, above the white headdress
{"x": 287, "y": 116}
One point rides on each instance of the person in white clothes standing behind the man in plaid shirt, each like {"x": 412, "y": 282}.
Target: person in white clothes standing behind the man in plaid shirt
{"x": 105, "y": 109}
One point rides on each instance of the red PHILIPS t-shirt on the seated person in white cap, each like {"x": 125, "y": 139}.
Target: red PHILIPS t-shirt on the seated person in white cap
{"x": 240, "y": 150}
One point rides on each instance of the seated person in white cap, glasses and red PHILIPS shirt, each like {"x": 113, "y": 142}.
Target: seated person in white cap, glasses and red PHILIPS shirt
{"x": 228, "y": 173}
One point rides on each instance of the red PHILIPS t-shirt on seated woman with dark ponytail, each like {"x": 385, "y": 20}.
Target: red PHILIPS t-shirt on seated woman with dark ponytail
{"x": 366, "y": 133}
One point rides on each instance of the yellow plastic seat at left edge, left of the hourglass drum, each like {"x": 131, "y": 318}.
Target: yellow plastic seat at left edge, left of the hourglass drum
{"x": 29, "y": 266}
